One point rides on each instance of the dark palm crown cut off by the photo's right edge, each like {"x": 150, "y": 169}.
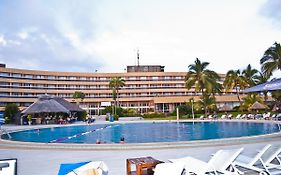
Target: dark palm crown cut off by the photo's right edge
{"x": 271, "y": 59}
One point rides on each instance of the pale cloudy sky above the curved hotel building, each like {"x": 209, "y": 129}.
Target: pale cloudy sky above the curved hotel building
{"x": 90, "y": 35}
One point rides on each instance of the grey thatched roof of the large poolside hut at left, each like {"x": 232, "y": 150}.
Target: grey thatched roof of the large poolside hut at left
{"x": 45, "y": 104}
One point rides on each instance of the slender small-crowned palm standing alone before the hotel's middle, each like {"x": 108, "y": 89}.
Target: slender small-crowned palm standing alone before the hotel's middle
{"x": 115, "y": 84}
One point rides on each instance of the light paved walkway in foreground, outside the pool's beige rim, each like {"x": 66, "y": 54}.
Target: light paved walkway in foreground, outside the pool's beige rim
{"x": 47, "y": 162}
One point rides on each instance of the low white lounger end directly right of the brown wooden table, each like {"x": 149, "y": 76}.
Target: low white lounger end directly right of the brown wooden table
{"x": 176, "y": 168}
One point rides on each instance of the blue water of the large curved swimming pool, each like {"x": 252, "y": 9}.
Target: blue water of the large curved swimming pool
{"x": 145, "y": 132}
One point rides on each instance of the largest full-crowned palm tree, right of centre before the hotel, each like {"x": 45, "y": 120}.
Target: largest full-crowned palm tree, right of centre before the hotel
{"x": 202, "y": 79}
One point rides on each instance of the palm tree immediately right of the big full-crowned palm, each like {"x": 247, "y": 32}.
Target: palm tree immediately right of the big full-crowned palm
{"x": 235, "y": 79}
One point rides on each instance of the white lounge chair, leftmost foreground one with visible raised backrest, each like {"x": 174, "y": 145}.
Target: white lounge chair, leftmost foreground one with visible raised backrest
{"x": 221, "y": 162}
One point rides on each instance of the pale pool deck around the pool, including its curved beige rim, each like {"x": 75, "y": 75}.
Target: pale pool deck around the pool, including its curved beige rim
{"x": 45, "y": 159}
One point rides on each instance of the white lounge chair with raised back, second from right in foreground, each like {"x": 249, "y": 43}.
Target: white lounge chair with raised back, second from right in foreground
{"x": 251, "y": 162}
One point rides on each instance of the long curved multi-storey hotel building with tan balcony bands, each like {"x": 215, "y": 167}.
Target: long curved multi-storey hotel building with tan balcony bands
{"x": 147, "y": 88}
